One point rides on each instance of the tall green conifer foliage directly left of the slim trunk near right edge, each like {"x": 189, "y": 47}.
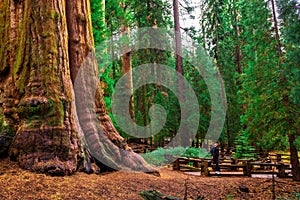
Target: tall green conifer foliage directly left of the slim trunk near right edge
{"x": 259, "y": 94}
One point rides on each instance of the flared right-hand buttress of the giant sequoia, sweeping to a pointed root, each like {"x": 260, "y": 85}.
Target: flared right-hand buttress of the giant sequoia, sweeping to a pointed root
{"x": 103, "y": 140}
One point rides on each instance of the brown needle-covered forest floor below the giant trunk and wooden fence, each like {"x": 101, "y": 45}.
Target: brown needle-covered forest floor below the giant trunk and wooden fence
{"x": 16, "y": 183}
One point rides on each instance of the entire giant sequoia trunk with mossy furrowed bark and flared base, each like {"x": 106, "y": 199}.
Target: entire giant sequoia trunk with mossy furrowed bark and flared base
{"x": 43, "y": 46}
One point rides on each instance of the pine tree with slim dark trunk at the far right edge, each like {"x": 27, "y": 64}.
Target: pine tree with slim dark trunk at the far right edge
{"x": 289, "y": 79}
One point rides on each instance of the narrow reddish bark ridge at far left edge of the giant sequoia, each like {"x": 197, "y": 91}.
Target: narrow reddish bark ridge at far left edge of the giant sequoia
{"x": 7, "y": 132}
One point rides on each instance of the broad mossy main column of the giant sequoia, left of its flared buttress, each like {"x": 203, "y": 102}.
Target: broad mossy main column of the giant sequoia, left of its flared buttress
{"x": 37, "y": 95}
